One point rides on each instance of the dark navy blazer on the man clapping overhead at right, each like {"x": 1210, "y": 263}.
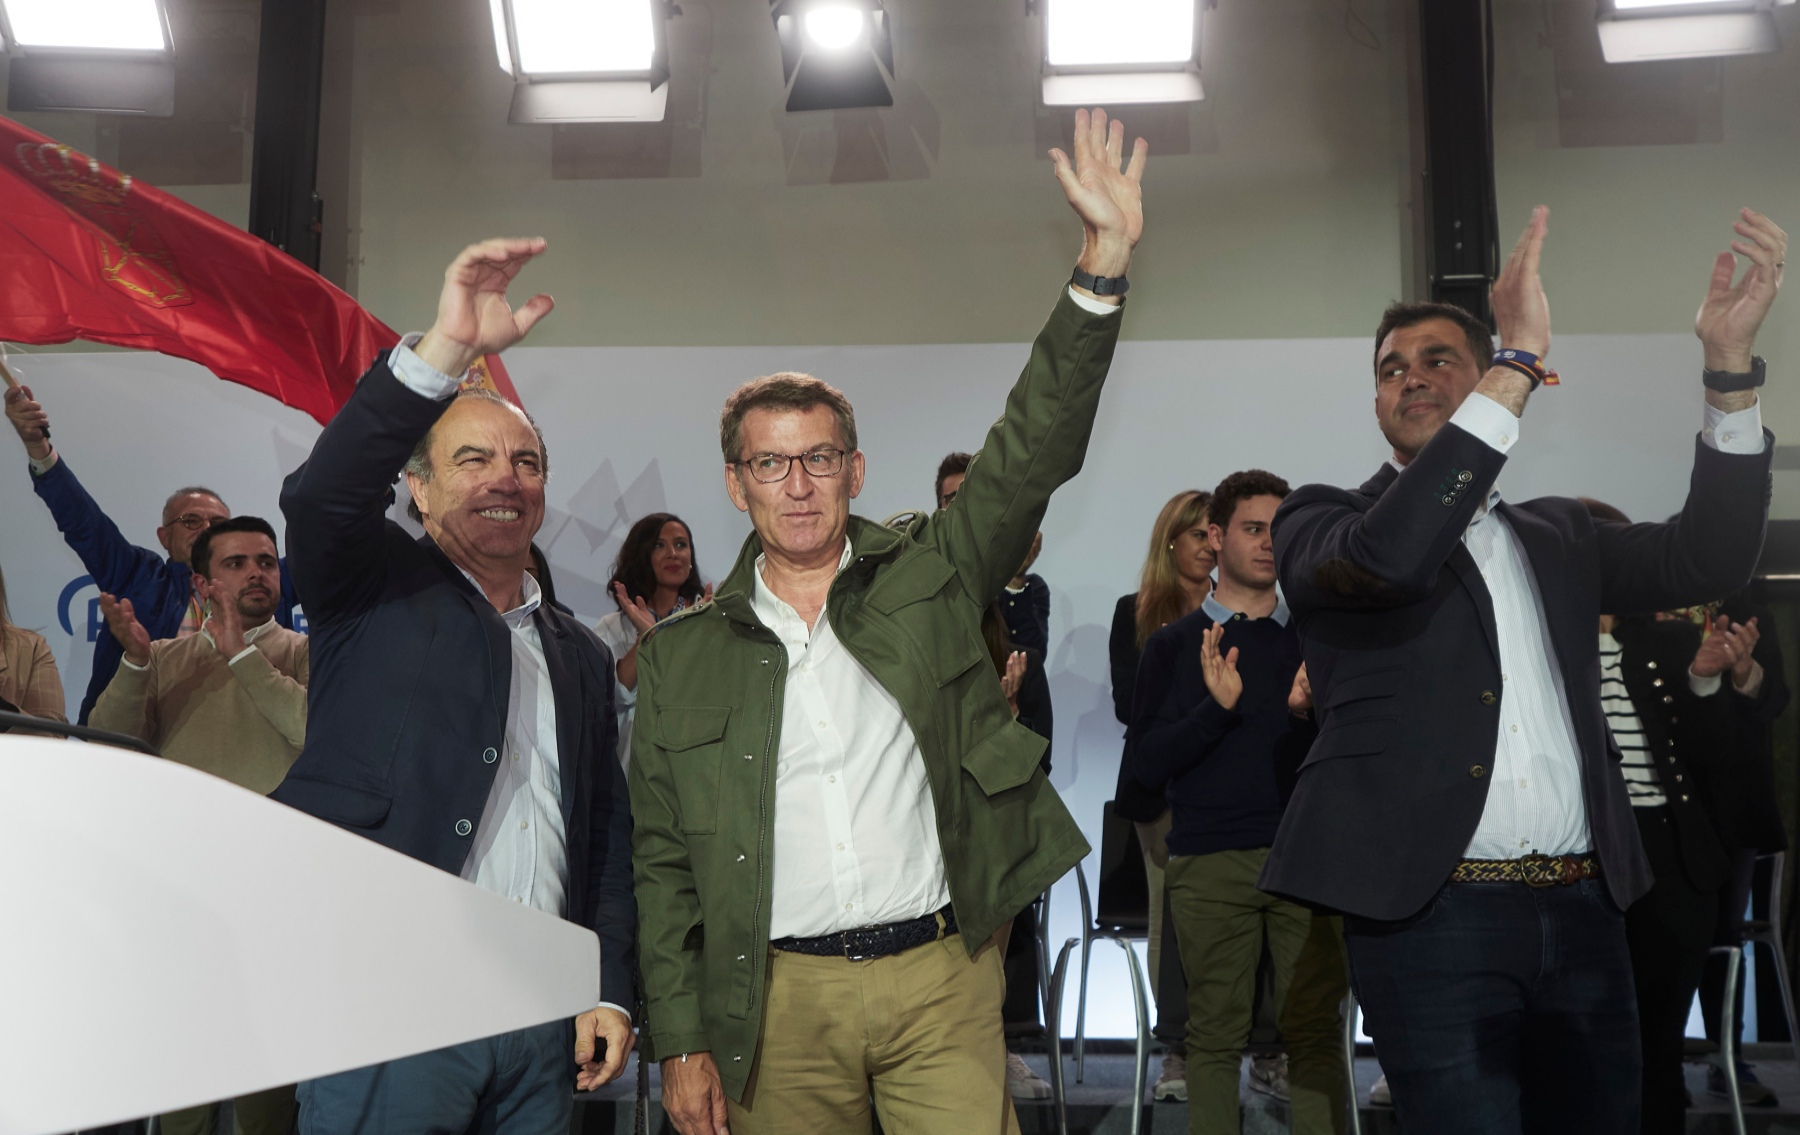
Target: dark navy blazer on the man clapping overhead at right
{"x": 1398, "y": 629}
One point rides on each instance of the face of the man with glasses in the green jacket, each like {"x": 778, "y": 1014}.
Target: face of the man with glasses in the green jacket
{"x": 800, "y": 519}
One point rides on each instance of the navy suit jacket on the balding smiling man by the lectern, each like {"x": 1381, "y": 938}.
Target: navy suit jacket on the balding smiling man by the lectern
{"x": 411, "y": 674}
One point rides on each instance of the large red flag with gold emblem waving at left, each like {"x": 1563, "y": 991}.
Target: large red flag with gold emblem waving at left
{"x": 89, "y": 253}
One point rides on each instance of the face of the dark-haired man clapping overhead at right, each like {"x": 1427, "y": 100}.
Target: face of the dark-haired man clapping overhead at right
{"x": 1423, "y": 373}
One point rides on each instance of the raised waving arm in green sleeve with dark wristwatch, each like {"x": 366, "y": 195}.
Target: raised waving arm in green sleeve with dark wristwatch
{"x": 1041, "y": 440}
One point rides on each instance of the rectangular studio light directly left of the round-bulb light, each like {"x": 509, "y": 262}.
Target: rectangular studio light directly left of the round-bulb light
{"x": 584, "y": 60}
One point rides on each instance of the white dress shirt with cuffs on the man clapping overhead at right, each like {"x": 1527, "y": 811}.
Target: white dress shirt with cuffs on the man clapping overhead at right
{"x": 1534, "y": 796}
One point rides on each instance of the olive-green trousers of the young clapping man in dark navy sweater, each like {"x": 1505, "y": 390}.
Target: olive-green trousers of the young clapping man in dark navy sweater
{"x": 1221, "y": 922}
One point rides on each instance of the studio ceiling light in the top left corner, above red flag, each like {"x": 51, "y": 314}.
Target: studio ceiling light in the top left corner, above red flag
{"x": 107, "y": 57}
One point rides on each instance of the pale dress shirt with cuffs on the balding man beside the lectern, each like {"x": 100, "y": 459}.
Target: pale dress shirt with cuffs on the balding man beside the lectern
{"x": 521, "y": 846}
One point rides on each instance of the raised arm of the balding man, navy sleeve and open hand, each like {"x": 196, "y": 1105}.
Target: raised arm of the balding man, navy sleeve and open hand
{"x": 337, "y": 501}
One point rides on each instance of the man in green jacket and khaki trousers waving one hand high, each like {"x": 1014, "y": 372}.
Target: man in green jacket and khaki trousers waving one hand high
{"x": 834, "y": 810}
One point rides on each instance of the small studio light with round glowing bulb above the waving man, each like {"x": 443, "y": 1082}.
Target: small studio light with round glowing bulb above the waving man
{"x": 836, "y": 55}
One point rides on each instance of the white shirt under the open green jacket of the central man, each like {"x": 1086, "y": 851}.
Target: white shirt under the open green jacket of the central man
{"x": 856, "y": 834}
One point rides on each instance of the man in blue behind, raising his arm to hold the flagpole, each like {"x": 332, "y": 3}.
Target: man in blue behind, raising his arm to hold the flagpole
{"x": 157, "y": 584}
